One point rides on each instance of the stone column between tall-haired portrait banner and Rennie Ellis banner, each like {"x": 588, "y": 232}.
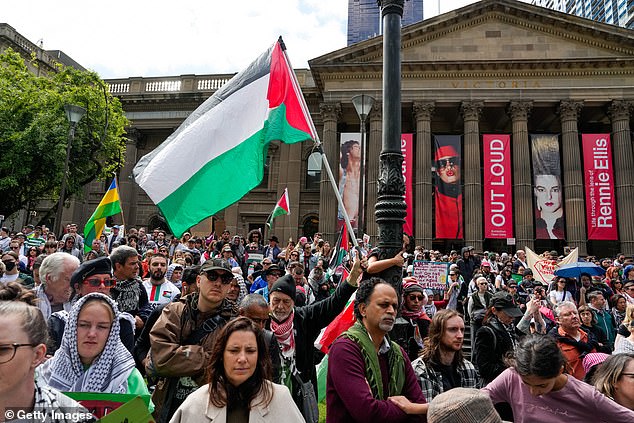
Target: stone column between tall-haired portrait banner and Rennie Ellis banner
{"x": 573, "y": 176}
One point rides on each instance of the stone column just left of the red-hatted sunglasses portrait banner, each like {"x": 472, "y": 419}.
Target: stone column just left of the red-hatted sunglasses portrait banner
{"x": 423, "y": 189}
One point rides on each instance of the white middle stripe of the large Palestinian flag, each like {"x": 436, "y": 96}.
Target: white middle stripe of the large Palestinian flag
{"x": 219, "y": 130}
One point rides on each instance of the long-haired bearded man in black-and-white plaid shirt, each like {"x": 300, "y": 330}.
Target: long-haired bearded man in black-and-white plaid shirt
{"x": 442, "y": 366}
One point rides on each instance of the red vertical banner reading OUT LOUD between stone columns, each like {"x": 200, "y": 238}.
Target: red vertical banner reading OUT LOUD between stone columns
{"x": 498, "y": 192}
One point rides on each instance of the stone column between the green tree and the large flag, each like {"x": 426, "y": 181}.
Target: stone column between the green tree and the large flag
{"x": 128, "y": 188}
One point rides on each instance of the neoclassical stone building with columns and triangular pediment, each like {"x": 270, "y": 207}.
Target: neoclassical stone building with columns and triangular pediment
{"x": 493, "y": 67}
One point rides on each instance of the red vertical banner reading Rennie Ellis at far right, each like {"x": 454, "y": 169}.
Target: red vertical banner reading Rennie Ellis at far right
{"x": 599, "y": 181}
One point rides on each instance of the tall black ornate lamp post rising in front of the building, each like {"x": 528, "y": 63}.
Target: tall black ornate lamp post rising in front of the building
{"x": 390, "y": 206}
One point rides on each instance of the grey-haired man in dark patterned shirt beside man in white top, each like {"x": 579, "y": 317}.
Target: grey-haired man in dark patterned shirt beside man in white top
{"x": 129, "y": 292}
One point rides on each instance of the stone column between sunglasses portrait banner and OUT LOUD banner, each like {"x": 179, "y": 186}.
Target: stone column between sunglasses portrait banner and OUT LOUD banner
{"x": 472, "y": 174}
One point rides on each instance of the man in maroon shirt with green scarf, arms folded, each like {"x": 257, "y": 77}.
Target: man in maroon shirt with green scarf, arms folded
{"x": 365, "y": 368}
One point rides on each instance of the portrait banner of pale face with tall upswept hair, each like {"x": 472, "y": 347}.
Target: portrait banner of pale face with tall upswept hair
{"x": 547, "y": 188}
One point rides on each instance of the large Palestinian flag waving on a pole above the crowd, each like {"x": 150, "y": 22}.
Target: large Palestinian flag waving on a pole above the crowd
{"x": 217, "y": 155}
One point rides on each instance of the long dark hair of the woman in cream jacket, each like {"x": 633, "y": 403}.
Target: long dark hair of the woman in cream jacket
{"x": 221, "y": 392}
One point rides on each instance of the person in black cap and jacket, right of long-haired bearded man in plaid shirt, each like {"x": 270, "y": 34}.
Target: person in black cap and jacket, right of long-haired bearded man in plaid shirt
{"x": 498, "y": 335}
